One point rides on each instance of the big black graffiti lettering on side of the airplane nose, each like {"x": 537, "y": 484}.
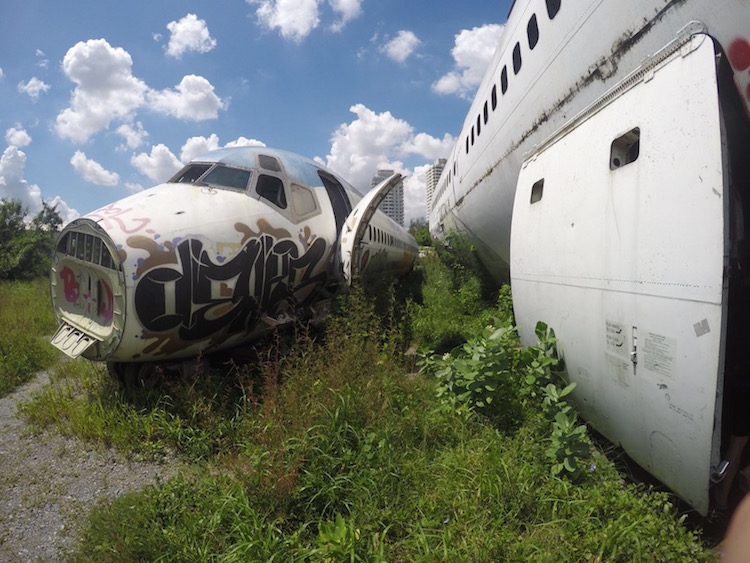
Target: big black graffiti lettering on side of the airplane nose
{"x": 196, "y": 297}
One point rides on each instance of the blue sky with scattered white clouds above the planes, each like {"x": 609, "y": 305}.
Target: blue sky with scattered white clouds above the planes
{"x": 103, "y": 99}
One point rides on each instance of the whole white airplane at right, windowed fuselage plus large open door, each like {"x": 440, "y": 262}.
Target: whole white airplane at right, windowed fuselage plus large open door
{"x": 594, "y": 172}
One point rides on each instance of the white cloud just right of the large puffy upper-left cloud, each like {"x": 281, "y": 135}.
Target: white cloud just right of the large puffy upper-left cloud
{"x": 193, "y": 100}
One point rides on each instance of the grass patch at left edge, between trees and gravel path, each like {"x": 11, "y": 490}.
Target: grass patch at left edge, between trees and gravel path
{"x": 25, "y": 317}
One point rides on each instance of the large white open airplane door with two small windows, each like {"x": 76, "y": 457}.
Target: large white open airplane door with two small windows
{"x": 618, "y": 244}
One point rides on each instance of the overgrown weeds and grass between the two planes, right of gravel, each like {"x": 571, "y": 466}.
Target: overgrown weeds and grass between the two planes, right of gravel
{"x": 324, "y": 449}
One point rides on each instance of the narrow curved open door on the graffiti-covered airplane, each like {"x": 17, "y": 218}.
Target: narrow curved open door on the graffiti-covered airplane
{"x": 356, "y": 224}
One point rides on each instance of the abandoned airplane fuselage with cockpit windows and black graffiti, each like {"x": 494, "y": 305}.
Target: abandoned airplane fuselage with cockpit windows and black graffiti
{"x": 239, "y": 241}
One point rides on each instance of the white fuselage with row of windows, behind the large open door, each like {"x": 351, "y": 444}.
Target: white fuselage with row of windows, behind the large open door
{"x": 587, "y": 48}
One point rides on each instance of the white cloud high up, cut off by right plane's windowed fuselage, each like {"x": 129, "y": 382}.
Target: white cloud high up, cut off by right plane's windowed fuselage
{"x": 472, "y": 54}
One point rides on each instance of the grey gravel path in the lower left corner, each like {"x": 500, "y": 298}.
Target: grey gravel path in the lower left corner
{"x": 49, "y": 482}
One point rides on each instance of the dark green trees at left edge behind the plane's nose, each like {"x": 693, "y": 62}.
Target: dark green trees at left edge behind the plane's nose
{"x": 26, "y": 246}
